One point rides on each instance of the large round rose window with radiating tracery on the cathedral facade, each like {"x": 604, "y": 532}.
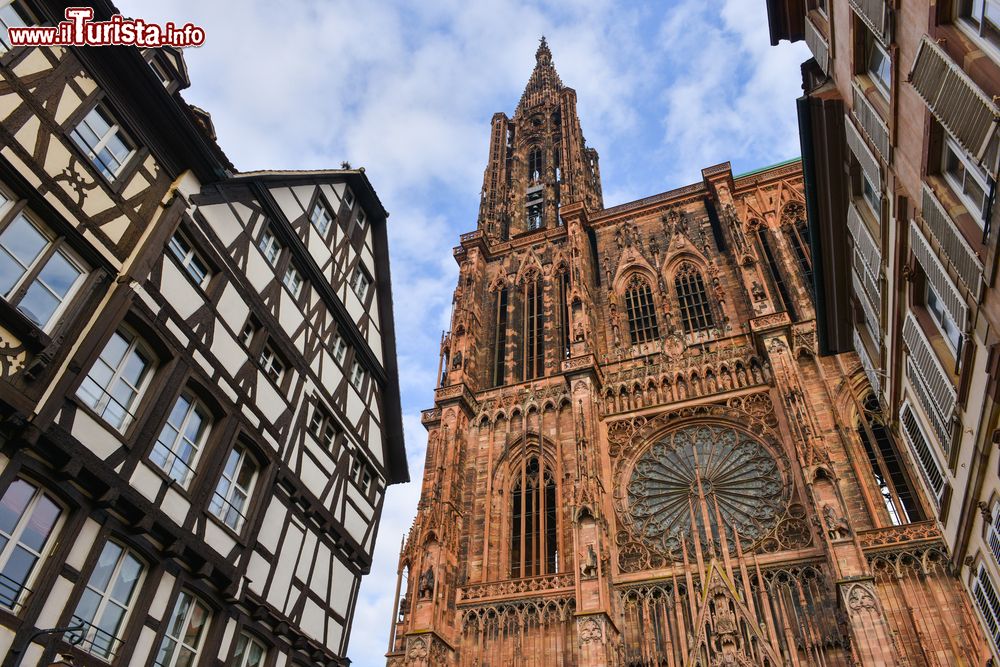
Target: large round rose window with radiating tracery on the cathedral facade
{"x": 699, "y": 474}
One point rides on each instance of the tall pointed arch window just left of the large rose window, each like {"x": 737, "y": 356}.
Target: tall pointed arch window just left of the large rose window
{"x": 533, "y": 541}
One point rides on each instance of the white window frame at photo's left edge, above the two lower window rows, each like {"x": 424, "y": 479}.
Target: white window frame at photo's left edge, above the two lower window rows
{"x": 31, "y": 277}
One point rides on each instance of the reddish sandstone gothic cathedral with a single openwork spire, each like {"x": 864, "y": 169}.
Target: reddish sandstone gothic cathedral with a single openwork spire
{"x": 636, "y": 454}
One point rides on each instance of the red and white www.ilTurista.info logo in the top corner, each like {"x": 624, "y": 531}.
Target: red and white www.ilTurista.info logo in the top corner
{"x": 79, "y": 29}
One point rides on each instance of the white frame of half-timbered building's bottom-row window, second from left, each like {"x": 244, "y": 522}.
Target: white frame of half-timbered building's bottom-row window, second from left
{"x": 92, "y": 630}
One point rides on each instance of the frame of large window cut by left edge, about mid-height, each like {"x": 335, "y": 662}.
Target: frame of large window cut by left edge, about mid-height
{"x": 54, "y": 244}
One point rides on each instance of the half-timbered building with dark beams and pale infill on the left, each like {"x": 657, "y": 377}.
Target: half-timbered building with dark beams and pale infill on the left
{"x": 199, "y": 405}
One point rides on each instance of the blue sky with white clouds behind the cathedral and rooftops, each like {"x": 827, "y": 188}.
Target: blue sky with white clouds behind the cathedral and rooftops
{"x": 407, "y": 89}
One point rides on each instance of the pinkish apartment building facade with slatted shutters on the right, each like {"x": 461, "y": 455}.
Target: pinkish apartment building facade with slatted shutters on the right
{"x": 898, "y": 125}
